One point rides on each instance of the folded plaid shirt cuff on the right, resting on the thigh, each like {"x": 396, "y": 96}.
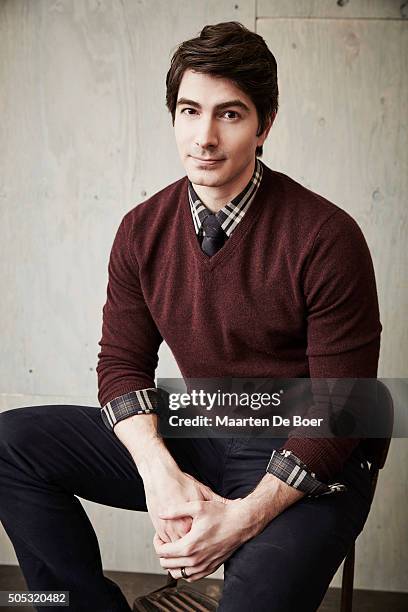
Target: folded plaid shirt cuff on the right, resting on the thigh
{"x": 289, "y": 468}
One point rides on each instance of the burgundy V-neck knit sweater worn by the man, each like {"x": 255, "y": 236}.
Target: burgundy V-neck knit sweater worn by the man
{"x": 290, "y": 294}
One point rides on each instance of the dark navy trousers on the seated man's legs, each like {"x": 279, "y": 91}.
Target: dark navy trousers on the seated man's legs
{"x": 50, "y": 454}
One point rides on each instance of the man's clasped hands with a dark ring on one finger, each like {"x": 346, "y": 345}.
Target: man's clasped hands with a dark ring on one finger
{"x": 199, "y": 529}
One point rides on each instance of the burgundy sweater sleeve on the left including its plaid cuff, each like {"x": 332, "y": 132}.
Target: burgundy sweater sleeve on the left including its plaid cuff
{"x": 130, "y": 339}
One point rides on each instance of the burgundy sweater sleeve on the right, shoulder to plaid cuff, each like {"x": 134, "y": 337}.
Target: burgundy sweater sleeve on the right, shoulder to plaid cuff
{"x": 343, "y": 327}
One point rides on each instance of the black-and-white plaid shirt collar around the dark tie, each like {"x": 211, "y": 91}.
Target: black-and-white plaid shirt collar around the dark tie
{"x": 233, "y": 212}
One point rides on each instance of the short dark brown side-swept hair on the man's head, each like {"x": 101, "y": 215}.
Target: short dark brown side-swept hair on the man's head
{"x": 231, "y": 51}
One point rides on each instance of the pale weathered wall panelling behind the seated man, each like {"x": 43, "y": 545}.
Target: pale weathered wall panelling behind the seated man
{"x": 85, "y": 136}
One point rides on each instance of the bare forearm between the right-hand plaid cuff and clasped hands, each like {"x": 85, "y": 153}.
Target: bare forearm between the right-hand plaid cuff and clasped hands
{"x": 271, "y": 497}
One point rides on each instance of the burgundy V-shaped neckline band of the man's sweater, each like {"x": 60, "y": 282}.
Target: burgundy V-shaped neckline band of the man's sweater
{"x": 237, "y": 235}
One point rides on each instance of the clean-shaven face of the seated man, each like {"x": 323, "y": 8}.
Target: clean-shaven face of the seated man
{"x": 215, "y": 121}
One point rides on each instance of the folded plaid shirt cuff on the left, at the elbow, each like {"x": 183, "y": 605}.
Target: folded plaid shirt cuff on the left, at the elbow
{"x": 144, "y": 401}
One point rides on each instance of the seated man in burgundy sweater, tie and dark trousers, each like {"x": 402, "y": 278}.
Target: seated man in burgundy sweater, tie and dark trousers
{"x": 245, "y": 273}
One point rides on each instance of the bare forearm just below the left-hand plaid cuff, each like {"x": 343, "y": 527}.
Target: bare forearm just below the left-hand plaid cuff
{"x": 140, "y": 436}
